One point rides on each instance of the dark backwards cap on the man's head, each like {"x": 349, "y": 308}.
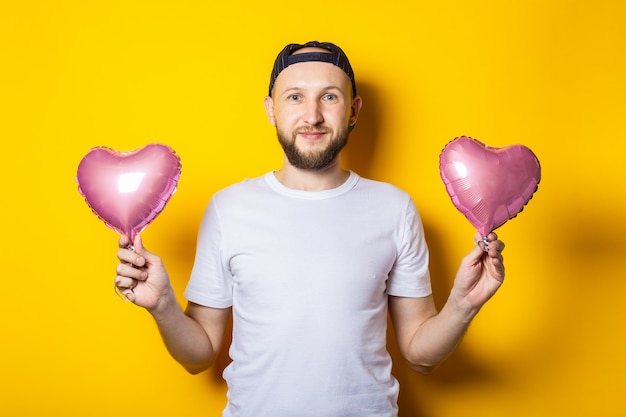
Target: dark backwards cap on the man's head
{"x": 336, "y": 57}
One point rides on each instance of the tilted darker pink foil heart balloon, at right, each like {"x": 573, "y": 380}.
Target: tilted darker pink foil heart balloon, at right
{"x": 488, "y": 185}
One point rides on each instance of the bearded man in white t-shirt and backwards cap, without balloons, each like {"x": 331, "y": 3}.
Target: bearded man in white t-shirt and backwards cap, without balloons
{"x": 309, "y": 260}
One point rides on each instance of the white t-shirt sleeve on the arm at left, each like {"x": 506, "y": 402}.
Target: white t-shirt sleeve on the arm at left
{"x": 210, "y": 284}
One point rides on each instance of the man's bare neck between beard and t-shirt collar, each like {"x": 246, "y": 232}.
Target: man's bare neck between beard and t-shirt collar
{"x": 307, "y": 180}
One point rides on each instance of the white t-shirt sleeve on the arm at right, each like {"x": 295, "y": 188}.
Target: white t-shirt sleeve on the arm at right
{"x": 410, "y": 276}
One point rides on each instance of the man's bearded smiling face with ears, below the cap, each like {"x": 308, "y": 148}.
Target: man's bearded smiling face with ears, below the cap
{"x": 312, "y": 107}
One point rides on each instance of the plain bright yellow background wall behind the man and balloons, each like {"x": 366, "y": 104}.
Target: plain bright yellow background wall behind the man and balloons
{"x": 193, "y": 74}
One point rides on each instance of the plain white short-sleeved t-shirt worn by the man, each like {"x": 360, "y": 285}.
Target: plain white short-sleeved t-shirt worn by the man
{"x": 308, "y": 275}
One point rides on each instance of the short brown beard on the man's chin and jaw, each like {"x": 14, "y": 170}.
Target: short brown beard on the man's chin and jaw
{"x": 314, "y": 160}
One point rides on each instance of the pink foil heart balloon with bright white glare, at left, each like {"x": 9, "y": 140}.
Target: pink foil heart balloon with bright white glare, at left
{"x": 127, "y": 190}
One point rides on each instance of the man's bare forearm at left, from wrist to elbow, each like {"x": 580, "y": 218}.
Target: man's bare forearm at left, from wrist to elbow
{"x": 185, "y": 339}
